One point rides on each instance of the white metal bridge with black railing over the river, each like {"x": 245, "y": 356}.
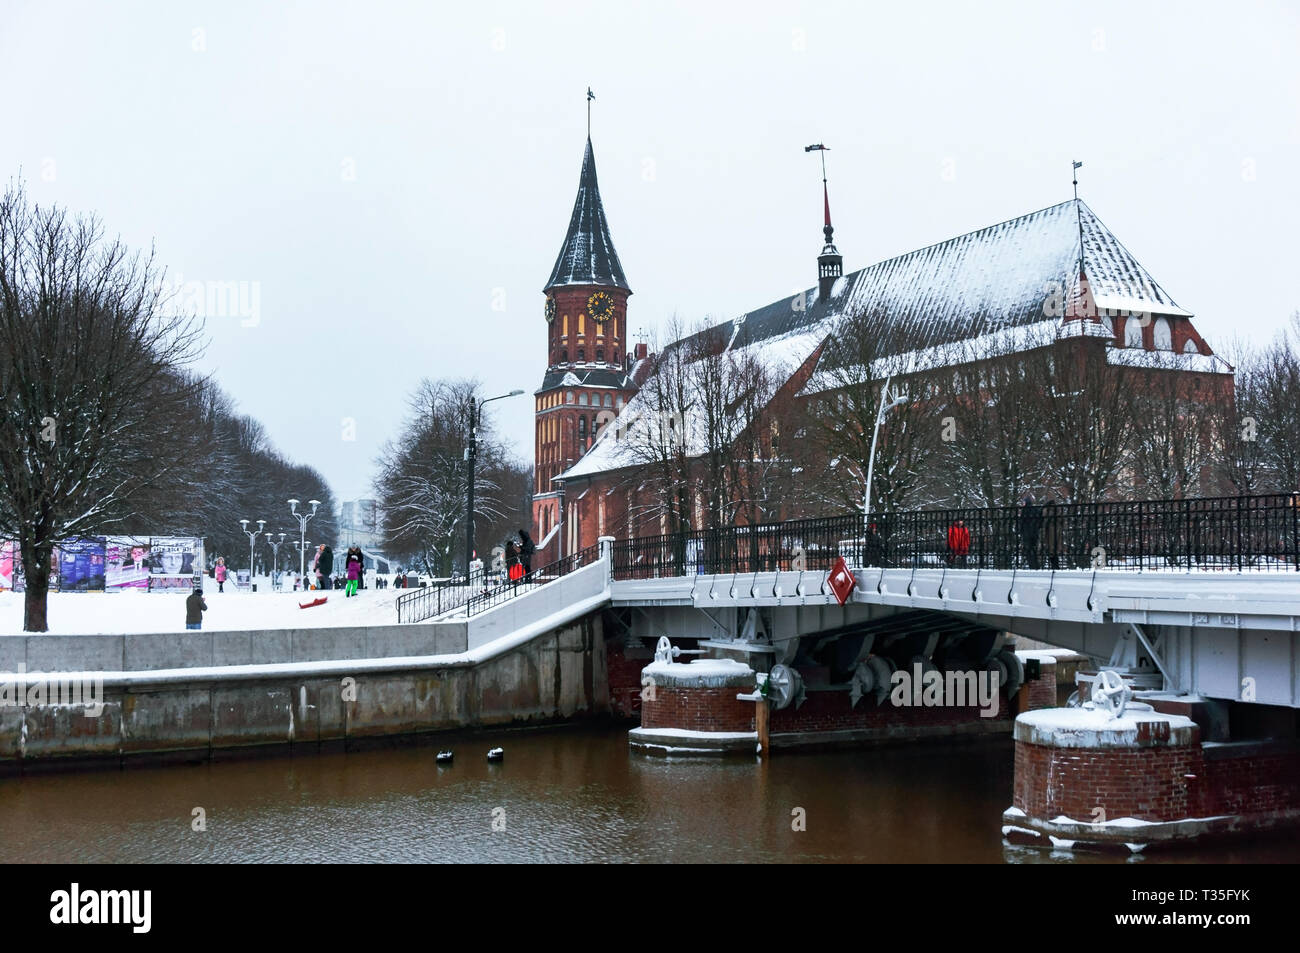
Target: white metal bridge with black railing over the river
{"x": 1197, "y": 597}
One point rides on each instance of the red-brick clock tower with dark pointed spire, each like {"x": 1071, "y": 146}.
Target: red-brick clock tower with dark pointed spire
{"x": 587, "y": 382}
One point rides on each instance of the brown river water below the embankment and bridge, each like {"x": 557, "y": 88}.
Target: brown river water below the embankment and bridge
{"x": 560, "y": 796}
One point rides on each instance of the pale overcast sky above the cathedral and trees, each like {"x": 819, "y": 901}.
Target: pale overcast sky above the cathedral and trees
{"x": 392, "y": 183}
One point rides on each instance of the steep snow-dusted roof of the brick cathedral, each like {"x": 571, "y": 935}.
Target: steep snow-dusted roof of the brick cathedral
{"x": 1009, "y": 287}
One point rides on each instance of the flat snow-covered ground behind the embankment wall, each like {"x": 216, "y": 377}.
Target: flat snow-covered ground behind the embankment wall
{"x": 141, "y": 612}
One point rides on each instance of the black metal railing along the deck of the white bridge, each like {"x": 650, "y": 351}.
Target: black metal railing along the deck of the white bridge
{"x": 1225, "y": 534}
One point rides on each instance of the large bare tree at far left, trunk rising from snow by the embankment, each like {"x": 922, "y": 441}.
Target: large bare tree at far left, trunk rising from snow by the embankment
{"x": 92, "y": 382}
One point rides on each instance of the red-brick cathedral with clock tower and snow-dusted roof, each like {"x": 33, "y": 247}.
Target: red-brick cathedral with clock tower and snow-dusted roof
{"x": 991, "y": 285}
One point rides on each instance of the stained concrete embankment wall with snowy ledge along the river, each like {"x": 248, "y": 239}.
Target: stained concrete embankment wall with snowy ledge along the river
{"x": 192, "y": 696}
